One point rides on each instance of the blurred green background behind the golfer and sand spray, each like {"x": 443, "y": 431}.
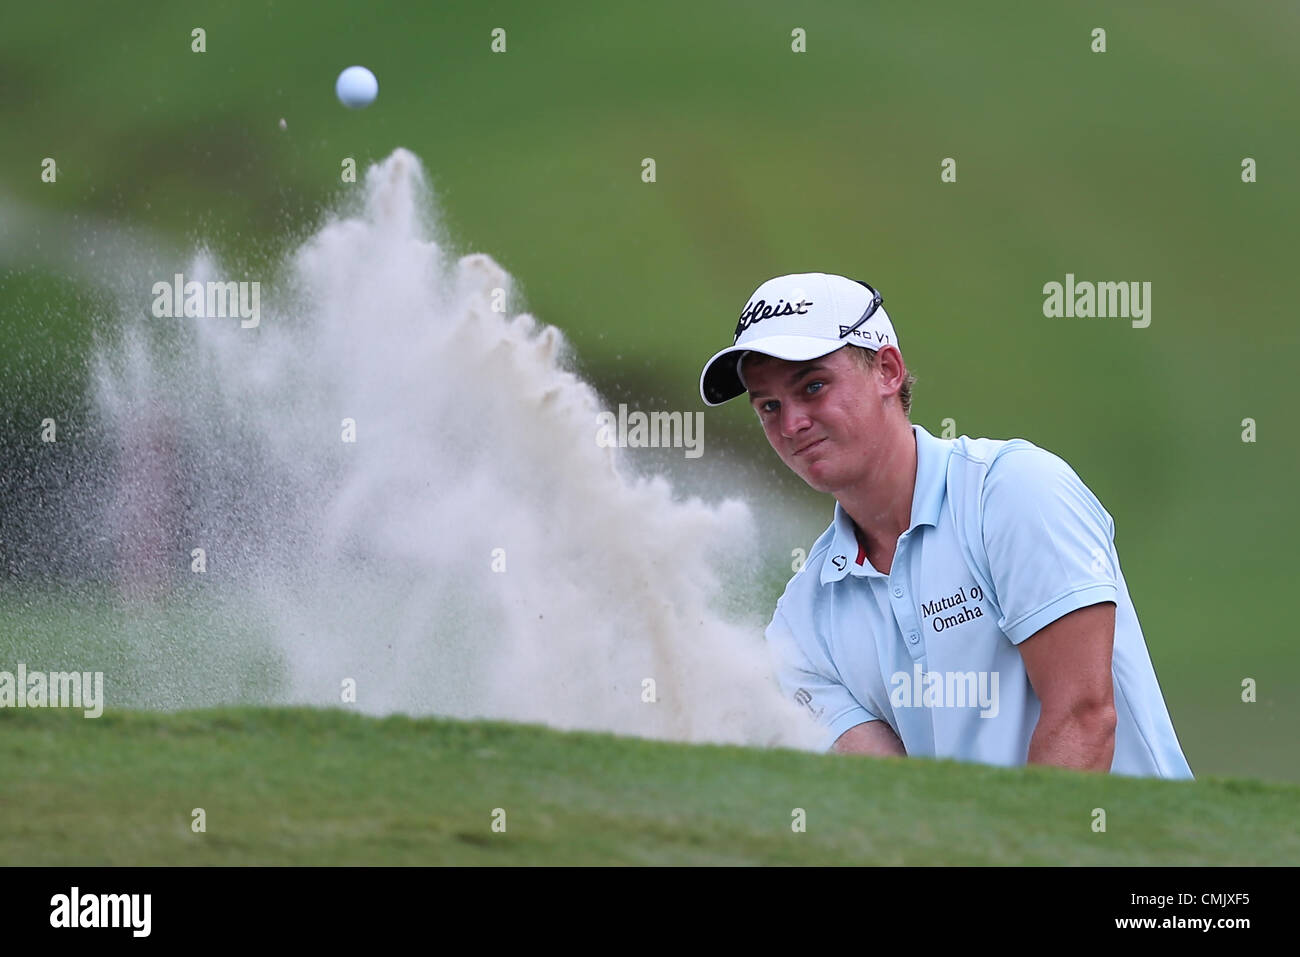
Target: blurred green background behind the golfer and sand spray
{"x": 1119, "y": 166}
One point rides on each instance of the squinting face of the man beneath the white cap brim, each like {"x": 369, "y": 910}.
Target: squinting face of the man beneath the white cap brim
{"x": 825, "y": 418}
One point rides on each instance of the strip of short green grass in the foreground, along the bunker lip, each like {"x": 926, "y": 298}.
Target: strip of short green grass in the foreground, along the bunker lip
{"x": 326, "y": 787}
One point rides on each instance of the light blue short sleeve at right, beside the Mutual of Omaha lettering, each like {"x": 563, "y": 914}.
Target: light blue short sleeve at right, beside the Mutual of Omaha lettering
{"x": 1050, "y": 543}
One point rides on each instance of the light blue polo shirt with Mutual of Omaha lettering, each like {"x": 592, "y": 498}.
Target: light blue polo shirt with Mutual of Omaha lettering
{"x": 1004, "y": 540}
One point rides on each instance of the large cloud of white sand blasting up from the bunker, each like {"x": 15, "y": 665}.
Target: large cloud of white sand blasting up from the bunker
{"x": 473, "y": 553}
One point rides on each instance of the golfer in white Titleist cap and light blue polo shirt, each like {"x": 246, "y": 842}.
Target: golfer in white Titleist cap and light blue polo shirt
{"x": 967, "y": 601}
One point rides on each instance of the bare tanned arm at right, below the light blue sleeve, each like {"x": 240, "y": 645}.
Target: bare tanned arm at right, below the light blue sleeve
{"x": 1069, "y": 666}
